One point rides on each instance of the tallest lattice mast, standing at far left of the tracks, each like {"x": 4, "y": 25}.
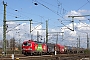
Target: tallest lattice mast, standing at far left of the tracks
{"x": 4, "y": 30}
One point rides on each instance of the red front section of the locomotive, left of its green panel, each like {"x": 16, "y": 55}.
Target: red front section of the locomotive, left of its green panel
{"x": 28, "y": 47}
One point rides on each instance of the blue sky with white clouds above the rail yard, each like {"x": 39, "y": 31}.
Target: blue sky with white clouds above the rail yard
{"x": 56, "y": 12}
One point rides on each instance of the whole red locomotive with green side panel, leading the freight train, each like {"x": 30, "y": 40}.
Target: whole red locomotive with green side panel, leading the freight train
{"x": 31, "y": 47}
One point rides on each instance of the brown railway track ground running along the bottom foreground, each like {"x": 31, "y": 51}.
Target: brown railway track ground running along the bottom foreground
{"x": 49, "y": 57}
